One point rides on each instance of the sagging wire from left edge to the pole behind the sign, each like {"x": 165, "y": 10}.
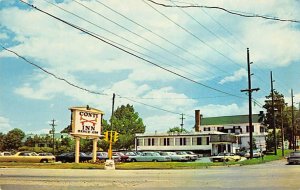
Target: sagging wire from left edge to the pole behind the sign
{"x": 54, "y": 75}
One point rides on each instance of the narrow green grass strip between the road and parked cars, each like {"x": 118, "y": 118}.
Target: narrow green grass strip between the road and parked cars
{"x": 142, "y": 165}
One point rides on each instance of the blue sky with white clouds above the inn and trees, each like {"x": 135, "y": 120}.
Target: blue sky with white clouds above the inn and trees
{"x": 165, "y": 61}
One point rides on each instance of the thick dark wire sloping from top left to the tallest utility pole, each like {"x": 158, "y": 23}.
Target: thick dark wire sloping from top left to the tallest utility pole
{"x": 130, "y": 53}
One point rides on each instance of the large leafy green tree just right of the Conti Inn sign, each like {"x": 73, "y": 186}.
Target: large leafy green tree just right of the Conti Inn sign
{"x": 127, "y": 123}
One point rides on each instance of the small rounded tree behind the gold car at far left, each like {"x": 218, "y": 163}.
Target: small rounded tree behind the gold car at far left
{"x": 13, "y": 139}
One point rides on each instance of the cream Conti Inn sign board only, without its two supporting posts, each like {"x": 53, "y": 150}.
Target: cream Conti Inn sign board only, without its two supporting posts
{"x": 86, "y": 121}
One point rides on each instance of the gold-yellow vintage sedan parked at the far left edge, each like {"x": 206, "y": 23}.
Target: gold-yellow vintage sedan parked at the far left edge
{"x": 27, "y": 156}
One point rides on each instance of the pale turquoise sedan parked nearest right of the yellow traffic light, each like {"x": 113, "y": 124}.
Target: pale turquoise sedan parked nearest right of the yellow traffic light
{"x": 149, "y": 157}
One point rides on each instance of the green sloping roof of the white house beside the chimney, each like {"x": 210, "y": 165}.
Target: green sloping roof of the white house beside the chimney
{"x": 237, "y": 119}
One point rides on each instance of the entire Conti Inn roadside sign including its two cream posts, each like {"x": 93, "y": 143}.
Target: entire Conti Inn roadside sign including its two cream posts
{"x": 85, "y": 123}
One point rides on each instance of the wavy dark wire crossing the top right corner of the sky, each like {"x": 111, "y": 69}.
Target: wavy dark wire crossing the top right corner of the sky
{"x": 248, "y": 15}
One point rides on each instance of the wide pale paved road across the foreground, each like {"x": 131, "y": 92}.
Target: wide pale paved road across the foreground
{"x": 273, "y": 175}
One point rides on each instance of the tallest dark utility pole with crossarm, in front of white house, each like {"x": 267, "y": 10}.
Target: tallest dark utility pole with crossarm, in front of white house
{"x": 250, "y": 90}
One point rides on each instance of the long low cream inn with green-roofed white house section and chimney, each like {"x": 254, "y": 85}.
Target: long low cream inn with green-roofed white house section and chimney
{"x": 211, "y": 136}
